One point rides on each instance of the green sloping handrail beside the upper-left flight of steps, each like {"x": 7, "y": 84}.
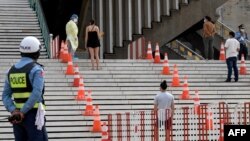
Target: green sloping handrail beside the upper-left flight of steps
{"x": 36, "y": 5}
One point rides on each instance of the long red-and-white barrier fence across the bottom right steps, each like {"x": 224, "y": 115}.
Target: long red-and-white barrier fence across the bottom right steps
{"x": 188, "y": 124}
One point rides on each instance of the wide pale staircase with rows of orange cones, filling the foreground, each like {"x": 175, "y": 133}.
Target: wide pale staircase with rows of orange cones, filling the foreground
{"x": 120, "y": 86}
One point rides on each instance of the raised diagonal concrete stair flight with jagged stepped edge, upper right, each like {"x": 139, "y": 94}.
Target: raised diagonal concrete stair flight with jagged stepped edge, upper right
{"x": 180, "y": 21}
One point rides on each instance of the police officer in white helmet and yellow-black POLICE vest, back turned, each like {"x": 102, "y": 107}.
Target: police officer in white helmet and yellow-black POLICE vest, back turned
{"x": 25, "y": 84}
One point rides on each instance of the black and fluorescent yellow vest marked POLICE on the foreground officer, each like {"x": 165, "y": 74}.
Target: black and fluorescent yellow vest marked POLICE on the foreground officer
{"x": 21, "y": 86}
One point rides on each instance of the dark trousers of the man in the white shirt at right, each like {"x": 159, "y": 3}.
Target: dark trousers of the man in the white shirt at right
{"x": 232, "y": 64}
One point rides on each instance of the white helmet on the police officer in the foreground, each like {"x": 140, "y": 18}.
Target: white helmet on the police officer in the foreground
{"x": 30, "y": 44}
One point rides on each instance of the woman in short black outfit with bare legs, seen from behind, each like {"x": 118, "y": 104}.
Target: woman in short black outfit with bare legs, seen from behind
{"x": 92, "y": 42}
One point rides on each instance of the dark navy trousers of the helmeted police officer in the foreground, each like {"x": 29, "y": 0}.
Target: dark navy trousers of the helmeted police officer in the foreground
{"x": 27, "y": 130}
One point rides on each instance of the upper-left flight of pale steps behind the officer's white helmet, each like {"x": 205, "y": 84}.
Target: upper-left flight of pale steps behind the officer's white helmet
{"x": 17, "y": 20}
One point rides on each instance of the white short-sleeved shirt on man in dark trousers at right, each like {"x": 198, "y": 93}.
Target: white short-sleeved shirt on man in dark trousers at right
{"x": 231, "y": 46}
